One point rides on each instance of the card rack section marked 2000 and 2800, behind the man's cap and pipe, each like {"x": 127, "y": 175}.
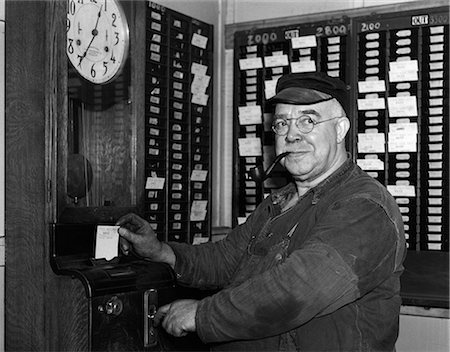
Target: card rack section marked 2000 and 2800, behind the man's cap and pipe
{"x": 261, "y": 57}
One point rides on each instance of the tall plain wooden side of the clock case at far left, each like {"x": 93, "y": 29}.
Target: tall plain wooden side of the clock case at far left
{"x": 24, "y": 175}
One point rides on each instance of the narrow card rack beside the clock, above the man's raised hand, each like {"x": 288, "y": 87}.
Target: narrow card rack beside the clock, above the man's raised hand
{"x": 178, "y": 95}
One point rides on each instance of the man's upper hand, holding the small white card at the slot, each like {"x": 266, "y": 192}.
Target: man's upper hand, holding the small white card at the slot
{"x": 137, "y": 235}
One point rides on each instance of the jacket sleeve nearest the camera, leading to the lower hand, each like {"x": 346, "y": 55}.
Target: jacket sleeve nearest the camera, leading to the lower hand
{"x": 351, "y": 251}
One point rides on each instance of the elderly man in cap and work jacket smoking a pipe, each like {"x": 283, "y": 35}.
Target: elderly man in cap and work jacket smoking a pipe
{"x": 316, "y": 266}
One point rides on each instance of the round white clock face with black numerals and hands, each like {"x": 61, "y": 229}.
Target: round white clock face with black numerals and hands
{"x": 97, "y": 39}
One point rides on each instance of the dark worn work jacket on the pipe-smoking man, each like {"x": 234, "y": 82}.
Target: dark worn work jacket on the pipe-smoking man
{"x": 320, "y": 276}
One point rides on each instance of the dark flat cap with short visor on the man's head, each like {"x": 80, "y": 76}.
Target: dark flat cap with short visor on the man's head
{"x": 310, "y": 88}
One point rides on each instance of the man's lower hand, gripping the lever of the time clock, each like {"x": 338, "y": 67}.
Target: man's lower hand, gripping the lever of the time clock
{"x": 178, "y": 318}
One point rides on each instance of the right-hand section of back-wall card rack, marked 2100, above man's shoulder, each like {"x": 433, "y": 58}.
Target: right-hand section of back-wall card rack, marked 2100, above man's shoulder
{"x": 402, "y": 116}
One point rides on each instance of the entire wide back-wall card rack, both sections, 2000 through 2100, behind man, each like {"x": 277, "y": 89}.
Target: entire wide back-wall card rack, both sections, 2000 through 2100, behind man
{"x": 397, "y": 65}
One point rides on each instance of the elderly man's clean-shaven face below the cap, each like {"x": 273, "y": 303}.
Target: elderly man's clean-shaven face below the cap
{"x": 315, "y": 153}
